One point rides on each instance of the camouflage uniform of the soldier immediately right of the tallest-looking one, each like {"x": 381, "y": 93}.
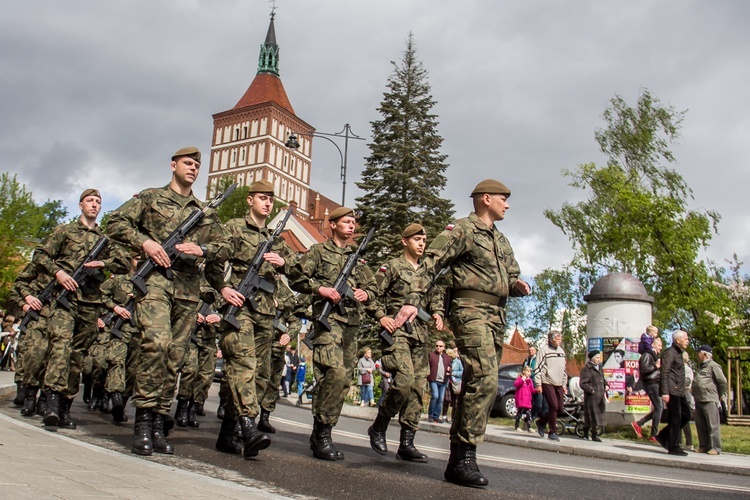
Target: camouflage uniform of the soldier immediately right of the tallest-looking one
{"x": 246, "y": 352}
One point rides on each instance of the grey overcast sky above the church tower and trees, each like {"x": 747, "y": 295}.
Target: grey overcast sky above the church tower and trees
{"x": 101, "y": 93}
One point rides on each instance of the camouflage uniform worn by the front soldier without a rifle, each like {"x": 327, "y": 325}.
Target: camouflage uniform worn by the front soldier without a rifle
{"x": 484, "y": 270}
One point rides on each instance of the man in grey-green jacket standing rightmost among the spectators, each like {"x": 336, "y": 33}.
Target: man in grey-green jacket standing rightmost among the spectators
{"x": 709, "y": 388}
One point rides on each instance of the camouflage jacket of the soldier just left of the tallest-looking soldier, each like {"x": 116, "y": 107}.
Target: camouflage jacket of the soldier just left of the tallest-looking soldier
{"x": 67, "y": 247}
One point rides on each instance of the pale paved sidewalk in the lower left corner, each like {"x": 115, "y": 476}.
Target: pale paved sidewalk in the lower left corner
{"x": 37, "y": 464}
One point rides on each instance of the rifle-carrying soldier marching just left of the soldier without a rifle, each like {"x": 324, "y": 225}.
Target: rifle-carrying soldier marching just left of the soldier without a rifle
{"x": 407, "y": 358}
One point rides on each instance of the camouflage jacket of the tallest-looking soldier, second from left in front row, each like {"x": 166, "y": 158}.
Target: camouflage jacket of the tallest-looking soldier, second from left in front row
{"x": 154, "y": 214}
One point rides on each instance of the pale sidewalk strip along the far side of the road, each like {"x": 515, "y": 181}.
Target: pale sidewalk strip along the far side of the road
{"x": 611, "y": 449}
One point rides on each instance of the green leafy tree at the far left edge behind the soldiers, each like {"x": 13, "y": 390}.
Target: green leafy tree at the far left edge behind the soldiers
{"x": 22, "y": 224}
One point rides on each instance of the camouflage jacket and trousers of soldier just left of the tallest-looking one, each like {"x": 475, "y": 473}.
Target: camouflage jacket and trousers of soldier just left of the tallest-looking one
{"x": 71, "y": 332}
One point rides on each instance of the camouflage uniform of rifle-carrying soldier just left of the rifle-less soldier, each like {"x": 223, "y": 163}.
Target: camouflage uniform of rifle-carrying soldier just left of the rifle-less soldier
{"x": 406, "y": 359}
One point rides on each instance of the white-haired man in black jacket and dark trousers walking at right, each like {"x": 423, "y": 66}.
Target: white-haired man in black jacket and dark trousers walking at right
{"x": 672, "y": 389}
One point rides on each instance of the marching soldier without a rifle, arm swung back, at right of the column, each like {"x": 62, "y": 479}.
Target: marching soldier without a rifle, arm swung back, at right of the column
{"x": 484, "y": 273}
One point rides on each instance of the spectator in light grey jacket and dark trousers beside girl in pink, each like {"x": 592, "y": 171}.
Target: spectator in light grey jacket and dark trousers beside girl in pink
{"x": 550, "y": 377}
